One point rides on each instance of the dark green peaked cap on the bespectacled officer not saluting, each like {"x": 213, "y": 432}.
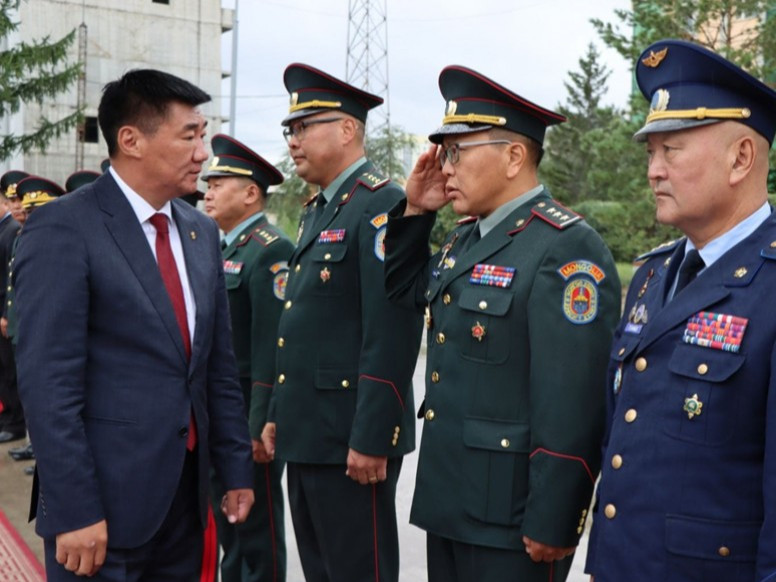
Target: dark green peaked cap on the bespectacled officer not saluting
{"x": 313, "y": 91}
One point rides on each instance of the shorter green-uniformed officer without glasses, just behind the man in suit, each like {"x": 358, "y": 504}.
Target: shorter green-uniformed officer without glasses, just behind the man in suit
{"x": 256, "y": 257}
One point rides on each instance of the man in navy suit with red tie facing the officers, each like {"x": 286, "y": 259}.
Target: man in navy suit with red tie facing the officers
{"x": 126, "y": 368}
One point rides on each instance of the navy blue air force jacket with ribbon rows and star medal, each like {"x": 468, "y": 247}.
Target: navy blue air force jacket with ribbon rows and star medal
{"x": 688, "y": 488}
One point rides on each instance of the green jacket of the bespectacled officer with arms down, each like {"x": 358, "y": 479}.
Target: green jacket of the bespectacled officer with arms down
{"x": 345, "y": 355}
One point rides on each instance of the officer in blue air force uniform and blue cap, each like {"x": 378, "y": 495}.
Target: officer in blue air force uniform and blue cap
{"x": 687, "y": 488}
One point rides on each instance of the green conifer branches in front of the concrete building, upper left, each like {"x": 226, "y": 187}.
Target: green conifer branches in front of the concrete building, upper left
{"x": 31, "y": 73}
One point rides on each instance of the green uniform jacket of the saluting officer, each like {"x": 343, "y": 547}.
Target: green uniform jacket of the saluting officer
{"x": 519, "y": 328}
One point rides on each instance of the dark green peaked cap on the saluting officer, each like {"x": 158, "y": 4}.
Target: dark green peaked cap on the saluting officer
{"x": 476, "y": 103}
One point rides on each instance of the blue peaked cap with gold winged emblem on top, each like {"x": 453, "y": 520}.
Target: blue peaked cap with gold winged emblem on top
{"x": 688, "y": 86}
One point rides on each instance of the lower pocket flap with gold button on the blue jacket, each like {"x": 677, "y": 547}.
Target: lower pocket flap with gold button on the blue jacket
{"x": 711, "y": 539}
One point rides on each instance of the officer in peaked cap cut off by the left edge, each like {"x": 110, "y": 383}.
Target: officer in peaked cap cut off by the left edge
{"x": 12, "y": 424}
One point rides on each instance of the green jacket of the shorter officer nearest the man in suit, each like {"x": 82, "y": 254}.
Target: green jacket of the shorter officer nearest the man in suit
{"x": 256, "y": 270}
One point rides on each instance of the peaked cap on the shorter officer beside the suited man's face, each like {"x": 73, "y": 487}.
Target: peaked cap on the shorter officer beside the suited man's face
{"x": 231, "y": 158}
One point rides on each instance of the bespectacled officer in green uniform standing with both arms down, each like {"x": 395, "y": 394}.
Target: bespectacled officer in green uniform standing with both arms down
{"x": 341, "y": 414}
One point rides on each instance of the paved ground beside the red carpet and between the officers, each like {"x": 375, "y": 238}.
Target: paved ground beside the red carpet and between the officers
{"x": 15, "y": 491}
